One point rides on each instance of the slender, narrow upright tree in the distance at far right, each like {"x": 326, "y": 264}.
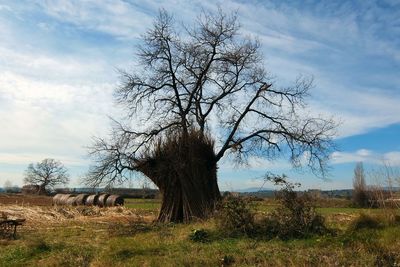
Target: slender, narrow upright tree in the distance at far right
{"x": 360, "y": 191}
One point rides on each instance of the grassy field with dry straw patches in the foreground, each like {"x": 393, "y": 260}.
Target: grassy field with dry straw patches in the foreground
{"x": 86, "y": 236}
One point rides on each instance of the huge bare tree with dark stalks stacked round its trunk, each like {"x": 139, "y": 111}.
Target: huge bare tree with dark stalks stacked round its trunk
{"x": 210, "y": 76}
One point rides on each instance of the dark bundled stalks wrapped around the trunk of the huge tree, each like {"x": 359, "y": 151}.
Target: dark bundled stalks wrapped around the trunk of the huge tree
{"x": 185, "y": 171}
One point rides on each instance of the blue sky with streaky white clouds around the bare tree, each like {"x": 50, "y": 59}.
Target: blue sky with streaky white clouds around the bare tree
{"x": 59, "y": 61}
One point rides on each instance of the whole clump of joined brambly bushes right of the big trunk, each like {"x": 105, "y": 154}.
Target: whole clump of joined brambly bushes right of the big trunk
{"x": 296, "y": 217}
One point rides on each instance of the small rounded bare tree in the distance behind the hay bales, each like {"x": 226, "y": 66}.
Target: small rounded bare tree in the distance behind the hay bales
{"x": 46, "y": 175}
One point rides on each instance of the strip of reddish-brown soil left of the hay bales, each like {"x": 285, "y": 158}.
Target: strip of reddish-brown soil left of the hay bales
{"x": 20, "y": 199}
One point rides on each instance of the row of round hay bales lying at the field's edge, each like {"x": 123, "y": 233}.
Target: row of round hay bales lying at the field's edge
{"x": 101, "y": 200}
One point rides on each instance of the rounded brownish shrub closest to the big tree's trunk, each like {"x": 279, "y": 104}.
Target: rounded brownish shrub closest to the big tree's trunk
{"x": 234, "y": 216}
